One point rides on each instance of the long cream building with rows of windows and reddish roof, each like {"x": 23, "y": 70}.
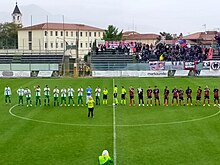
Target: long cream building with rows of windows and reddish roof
{"x": 53, "y": 37}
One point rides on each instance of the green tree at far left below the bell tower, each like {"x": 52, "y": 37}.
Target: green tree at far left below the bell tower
{"x": 9, "y": 35}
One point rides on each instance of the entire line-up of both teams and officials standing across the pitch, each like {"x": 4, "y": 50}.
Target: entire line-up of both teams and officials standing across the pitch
{"x": 176, "y": 94}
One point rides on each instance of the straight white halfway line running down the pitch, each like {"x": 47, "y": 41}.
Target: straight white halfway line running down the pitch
{"x": 114, "y": 128}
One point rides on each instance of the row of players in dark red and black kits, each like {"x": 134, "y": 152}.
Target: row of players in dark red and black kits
{"x": 178, "y": 96}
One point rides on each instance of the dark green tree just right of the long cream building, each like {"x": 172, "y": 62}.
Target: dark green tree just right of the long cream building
{"x": 112, "y": 34}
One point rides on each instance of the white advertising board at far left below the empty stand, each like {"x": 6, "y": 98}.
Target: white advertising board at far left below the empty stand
{"x": 15, "y": 74}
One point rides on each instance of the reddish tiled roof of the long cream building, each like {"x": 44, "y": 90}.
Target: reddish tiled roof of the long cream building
{"x": 61, "y": 26}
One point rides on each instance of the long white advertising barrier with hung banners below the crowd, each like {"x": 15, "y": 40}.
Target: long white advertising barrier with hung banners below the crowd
{"x": 167, "y": 69}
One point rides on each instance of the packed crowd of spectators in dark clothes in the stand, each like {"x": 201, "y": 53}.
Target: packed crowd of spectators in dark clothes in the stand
{"x": 163, "y": 52}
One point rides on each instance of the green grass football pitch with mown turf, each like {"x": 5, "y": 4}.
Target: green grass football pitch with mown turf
{"x": 157, "y": 135}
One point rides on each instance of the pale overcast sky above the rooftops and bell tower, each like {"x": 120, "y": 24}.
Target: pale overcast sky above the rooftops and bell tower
{"x": 144, "y": 16}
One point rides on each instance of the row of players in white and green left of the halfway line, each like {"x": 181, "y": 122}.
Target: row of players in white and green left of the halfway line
{"x": 56, "y": 92}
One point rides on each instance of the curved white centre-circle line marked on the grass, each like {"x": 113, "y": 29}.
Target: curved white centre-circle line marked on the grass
{"x": 120, "y": 125}
